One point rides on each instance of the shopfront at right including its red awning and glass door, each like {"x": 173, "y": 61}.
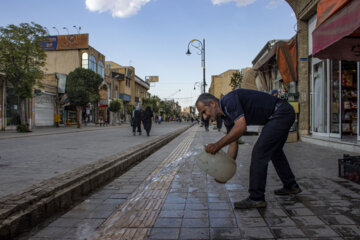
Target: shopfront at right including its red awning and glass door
{"x": 334, "y": 35}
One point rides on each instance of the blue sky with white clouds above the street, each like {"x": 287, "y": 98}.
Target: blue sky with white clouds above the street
{"x": 153, "y": 35}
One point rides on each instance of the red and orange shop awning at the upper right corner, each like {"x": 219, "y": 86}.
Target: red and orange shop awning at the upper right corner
{"x": 337, "y": 35}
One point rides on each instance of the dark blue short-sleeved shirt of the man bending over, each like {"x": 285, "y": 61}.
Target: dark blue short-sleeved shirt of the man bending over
{"x": 255, "y": 106}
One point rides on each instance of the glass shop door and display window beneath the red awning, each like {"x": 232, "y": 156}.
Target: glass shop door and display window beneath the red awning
{"x": 335, "y": 99}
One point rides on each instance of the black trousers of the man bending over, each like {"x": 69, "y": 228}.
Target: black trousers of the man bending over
{"x": 269, "y": 146}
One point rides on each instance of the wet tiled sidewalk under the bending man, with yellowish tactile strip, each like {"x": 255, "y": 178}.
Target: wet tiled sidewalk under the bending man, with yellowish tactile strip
{"x": 167, "y": 196}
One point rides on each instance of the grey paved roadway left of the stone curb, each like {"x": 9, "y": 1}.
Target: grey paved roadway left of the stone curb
{"x": 48, "y": 152}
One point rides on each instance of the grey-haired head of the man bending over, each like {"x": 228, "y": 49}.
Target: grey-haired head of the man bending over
{"x": 208, "y": 106}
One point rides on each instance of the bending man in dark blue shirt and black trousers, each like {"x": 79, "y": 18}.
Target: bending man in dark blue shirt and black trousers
{"x": 243, "y": 107}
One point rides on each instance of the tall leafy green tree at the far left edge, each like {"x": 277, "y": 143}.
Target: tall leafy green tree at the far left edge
{"x": 21, "y": 59}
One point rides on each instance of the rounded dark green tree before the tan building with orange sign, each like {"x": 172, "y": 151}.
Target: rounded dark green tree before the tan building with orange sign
{"x": 83, "y": 87}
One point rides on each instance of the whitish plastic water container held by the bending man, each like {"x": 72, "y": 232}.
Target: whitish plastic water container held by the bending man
{"x": 220, "y": 166}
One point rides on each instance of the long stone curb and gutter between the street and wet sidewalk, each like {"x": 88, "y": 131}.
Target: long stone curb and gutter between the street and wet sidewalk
{"x": 22, "y": 211}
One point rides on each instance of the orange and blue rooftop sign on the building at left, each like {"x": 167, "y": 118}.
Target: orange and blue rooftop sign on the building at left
{"x": 64, "y": 42}
